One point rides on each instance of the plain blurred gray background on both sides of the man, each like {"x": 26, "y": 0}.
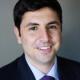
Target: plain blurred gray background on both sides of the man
{"x": 10, "y": 50}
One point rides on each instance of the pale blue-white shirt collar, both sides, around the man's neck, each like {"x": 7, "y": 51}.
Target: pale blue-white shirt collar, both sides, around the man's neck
{"x": 38, "y": 74}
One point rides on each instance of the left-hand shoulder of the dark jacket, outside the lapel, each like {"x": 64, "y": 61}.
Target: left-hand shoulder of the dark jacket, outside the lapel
{"x": 9, "y": 71}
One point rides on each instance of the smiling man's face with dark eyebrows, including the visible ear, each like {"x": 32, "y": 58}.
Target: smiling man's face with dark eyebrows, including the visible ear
{"x": 40, "y": 35}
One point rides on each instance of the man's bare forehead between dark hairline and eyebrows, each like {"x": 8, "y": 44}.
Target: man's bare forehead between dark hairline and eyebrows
{"x": 42, "y": 15}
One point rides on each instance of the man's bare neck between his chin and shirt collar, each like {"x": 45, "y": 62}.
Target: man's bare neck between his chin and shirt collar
{"x": 43, "y": 67}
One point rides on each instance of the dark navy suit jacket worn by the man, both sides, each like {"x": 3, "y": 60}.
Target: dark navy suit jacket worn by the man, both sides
{"x": 19, "y": 70}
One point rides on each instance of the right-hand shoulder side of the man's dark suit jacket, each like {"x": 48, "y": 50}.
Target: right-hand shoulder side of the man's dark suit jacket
{"x": 68, "y": 69}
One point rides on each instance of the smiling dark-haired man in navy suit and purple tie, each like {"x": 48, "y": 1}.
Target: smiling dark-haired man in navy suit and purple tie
{"x": 38, "y": 28}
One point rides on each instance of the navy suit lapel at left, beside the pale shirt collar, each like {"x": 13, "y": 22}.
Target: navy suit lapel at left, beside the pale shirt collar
{"x": 24, "y": 70}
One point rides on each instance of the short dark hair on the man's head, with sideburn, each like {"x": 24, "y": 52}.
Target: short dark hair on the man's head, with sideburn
{"x": 23, "y": 6}
